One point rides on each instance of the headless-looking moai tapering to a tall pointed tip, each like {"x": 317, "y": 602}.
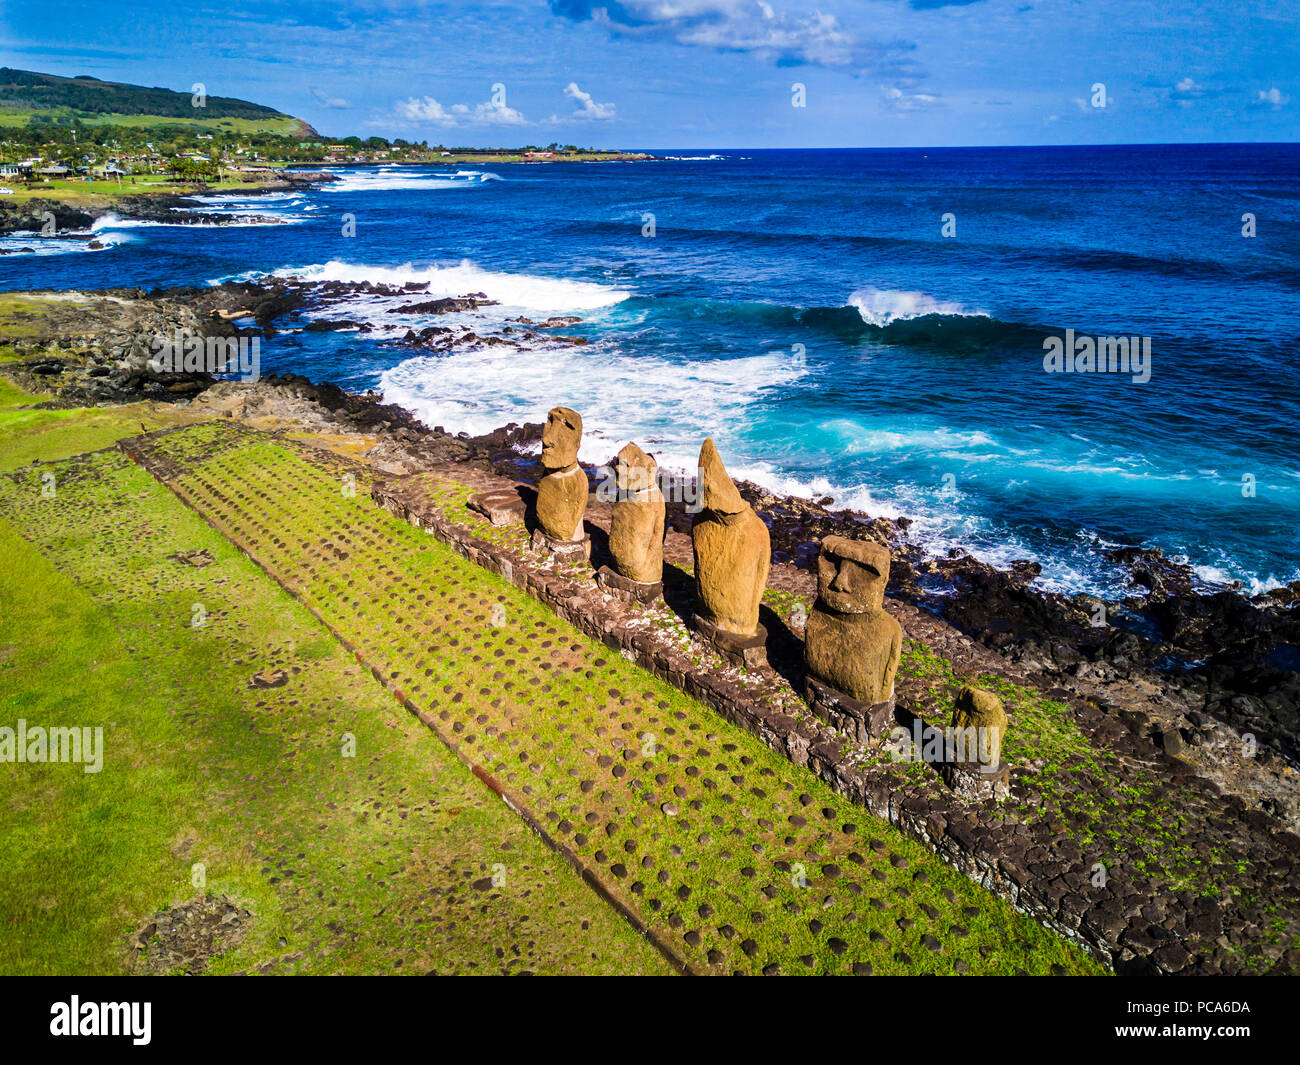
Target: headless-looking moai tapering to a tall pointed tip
{"x": 733, "y": 557}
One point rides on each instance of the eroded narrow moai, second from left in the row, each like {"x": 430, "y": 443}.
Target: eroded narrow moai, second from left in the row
{"x": 636, "y": 529}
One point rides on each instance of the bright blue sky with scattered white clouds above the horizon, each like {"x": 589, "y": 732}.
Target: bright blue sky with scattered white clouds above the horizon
{"x": 705, "y": 73}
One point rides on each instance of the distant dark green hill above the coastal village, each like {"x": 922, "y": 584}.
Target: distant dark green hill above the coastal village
{"x": 27, "y": 96}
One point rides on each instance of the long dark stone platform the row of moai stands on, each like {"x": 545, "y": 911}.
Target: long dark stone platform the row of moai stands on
{"x": 1022, "y": 855}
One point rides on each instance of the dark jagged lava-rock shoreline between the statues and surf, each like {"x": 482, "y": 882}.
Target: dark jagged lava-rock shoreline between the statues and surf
{"x": 1204, "y": 676}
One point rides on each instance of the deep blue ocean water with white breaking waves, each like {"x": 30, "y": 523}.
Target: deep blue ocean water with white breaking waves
{"x": 807, "y": 310}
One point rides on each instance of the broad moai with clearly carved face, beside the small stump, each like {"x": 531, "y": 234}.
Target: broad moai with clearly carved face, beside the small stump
{"x": 851, "y": 644}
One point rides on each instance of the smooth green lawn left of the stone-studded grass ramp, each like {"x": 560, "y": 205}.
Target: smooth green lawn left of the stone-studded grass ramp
{"x": 380, "y": 863}
